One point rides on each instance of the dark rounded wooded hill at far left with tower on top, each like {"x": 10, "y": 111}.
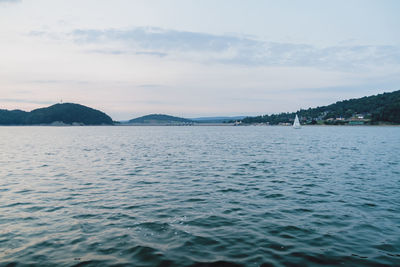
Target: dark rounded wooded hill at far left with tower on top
{"x": 67, "y": 113}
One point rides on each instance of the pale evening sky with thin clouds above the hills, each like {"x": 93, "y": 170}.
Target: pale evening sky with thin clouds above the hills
{"x": 191, "y": 58}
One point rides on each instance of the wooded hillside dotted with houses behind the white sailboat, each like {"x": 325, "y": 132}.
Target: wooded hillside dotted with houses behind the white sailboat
{"x": 382, "y": 108}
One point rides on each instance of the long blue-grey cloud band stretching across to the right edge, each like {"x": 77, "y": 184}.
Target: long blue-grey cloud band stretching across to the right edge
{"x": 230, "y": 49}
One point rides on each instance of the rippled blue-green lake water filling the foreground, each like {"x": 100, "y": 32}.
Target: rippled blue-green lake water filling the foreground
{"x": 181, "y": 196}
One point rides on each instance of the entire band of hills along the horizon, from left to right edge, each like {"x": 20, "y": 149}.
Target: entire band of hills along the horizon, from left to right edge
{"x": 376, "y": 109}
